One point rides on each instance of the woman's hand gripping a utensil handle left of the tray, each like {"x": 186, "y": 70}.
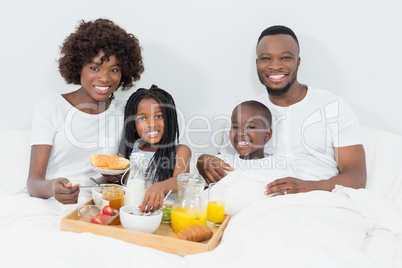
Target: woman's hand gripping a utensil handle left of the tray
{"x": 64, "y": 191}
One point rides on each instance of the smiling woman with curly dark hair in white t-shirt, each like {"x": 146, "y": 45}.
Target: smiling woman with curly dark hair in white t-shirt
{"x": 68, "y": 128}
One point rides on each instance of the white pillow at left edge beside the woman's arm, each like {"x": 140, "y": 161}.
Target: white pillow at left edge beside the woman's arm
{"x": 14, "y": 159}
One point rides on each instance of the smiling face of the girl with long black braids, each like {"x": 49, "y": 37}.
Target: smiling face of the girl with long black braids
{"x": 149, "y": 123}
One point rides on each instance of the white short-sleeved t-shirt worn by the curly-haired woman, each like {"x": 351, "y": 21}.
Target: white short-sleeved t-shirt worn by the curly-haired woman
{"x": 75, "y": 136}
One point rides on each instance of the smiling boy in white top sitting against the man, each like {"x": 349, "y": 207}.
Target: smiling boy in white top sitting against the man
{"x": 250, "y": 131}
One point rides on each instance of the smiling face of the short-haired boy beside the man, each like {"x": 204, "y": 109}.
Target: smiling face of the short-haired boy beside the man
{"x": 249, "y": 132}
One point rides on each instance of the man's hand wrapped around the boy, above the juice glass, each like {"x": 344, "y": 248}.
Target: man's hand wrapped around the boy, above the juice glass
{"x": 212, "y": 168}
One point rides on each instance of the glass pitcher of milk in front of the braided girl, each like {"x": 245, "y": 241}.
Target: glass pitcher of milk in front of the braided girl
{"x": 137, "y": 181}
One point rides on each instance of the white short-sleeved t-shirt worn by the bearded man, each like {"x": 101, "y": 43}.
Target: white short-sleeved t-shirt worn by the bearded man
{"x": 305, "y": 133}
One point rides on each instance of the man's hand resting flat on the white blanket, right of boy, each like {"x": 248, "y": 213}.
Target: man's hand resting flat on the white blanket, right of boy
{"x": 289, "y": 185}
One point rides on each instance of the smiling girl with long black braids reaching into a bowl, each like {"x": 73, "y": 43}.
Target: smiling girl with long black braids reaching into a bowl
{"x": 151, "y": 127}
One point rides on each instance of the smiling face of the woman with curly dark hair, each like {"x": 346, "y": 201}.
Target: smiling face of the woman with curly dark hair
{"x": 100, "y": 80}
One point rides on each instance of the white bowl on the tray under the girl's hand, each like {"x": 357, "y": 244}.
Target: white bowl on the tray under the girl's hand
{"x": 139, "y": 223}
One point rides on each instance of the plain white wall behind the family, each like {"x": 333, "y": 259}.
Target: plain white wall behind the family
{"x": 203, "y": 52}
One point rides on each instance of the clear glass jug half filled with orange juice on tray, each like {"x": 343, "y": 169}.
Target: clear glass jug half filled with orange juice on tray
{"x": 190, "y": 206}
